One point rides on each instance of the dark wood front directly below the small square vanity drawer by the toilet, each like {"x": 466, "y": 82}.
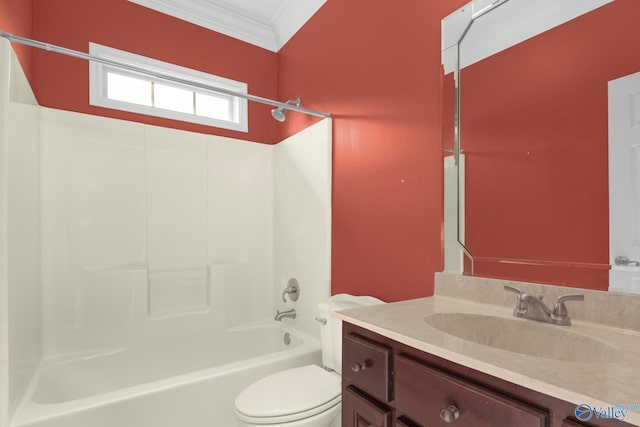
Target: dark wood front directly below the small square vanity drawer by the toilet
{"x": 359, "y": 411}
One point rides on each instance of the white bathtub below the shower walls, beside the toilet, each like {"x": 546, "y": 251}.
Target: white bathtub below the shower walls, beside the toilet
{"x": 185, "y": 380}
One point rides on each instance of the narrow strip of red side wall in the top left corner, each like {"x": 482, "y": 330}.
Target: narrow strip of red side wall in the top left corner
{"x": 16, "y": 18}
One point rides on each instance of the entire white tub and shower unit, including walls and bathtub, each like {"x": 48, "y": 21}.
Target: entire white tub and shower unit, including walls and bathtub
{"x": 146, "y": 265}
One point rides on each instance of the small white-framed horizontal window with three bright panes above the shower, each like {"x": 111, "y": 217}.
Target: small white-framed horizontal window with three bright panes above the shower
{"x": 122, "y": 89}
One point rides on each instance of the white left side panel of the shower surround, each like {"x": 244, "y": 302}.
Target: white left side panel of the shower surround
{"x": 20, "y": 322}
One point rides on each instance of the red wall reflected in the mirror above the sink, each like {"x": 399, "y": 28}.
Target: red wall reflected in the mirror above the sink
{"x": 536, "y": 153}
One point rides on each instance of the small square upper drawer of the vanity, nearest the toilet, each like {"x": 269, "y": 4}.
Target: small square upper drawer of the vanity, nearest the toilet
{"x": 367, "y": 364}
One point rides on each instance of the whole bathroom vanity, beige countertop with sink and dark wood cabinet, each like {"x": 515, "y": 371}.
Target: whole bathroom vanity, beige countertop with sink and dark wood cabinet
{"x": 401, "y": 369}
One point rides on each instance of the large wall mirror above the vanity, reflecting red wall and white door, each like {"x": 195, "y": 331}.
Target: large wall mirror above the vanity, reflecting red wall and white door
{"x": 534, "y": 131}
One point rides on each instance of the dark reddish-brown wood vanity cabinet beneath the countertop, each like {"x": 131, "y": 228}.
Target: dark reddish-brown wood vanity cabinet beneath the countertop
{"x": 390, "y": 384}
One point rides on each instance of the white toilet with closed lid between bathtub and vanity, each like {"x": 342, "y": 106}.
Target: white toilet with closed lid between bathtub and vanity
{"x": 308, "y": 396}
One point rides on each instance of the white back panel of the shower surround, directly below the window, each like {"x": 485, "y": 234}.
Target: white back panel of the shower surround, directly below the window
{"x": 142, "y": 222}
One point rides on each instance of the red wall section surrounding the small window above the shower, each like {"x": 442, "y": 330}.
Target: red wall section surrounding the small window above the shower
{"x": 63, "y": 83}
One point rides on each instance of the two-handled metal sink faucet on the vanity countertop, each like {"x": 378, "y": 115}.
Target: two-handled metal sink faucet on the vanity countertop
{"x": 531, "y": 307}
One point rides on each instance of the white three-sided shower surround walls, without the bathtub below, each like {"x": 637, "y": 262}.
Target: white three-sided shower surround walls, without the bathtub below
{"x": 145, "y": 226}
